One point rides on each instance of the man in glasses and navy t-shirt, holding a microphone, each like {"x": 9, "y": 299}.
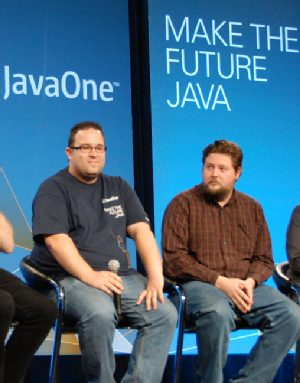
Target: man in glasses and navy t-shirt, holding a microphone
{"x": 80, "y": 222}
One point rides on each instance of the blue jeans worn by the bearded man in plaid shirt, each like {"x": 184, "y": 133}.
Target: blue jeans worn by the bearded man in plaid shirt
{"x": 213, "y": 313}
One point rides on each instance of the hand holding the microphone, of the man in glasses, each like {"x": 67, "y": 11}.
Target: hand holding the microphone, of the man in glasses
{"x": 106, "y": 281}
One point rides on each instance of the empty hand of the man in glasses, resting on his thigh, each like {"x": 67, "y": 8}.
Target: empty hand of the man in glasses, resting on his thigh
{"x": 154, "y": 288}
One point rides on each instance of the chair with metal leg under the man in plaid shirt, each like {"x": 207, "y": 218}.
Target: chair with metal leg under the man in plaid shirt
{"x": 185, "y": 327}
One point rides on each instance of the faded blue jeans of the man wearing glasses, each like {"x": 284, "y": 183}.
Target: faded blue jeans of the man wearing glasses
{"x": 96, "y": 315}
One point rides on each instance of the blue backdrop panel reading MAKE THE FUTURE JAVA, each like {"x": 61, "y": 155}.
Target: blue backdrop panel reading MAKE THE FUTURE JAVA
{"x": 227, "y": 70}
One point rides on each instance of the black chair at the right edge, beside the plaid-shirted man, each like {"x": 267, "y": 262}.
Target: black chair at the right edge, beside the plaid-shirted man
{"x": 289, "y": 289}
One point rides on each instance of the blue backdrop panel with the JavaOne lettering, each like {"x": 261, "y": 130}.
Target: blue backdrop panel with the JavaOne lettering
{"x": 61, "y": 63}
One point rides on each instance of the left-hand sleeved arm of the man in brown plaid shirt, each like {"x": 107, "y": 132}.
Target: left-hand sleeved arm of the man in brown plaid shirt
{"x": 178, "y": 261}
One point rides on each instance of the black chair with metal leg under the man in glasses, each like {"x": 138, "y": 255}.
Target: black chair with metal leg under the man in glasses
{"x": 63, "y": 325}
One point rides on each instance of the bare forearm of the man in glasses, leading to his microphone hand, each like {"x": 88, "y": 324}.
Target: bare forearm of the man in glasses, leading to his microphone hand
{"x": 65, "y": 252}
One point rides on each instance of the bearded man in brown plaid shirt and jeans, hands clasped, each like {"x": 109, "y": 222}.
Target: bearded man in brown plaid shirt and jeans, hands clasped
{"x": 216, "y": 242}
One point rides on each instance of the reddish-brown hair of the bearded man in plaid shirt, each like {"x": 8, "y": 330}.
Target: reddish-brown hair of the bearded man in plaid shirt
{"x": 225, "y": 147}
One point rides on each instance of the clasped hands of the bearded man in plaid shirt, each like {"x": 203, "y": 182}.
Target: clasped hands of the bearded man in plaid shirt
{"x": 241, "y": 292}
